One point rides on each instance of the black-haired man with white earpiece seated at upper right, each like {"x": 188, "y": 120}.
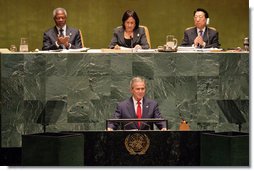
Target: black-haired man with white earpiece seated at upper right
{"x": 201, "y": 36}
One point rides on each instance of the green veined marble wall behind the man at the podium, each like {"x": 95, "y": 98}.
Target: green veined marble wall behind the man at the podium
{"x": 80, "y": 90}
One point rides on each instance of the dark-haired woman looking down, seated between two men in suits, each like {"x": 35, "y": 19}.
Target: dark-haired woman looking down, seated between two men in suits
{"x": 129, "y": 35}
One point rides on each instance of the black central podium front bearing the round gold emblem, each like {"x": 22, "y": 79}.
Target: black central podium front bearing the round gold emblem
{"x": 141, "y": 148}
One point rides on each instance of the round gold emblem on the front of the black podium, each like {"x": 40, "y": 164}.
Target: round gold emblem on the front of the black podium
{"x": 137, "y": 143}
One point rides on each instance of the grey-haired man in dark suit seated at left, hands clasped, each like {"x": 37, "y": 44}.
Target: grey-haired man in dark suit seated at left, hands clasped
{"x": 61, "y": 36}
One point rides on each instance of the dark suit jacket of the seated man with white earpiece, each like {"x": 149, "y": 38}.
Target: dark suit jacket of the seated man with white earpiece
{"x": 211, "y": 37}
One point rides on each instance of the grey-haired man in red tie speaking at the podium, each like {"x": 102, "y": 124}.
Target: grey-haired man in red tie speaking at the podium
{"x": 137, "y": 106}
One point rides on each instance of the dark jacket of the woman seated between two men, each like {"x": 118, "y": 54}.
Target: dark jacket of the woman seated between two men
{"x": 139, "y": 37}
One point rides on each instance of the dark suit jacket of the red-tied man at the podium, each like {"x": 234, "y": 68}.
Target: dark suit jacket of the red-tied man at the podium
{"x": 125, "y": 110}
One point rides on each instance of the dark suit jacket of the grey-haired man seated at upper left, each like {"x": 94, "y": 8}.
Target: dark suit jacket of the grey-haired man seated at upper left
{"x": 50, "y": 37}
